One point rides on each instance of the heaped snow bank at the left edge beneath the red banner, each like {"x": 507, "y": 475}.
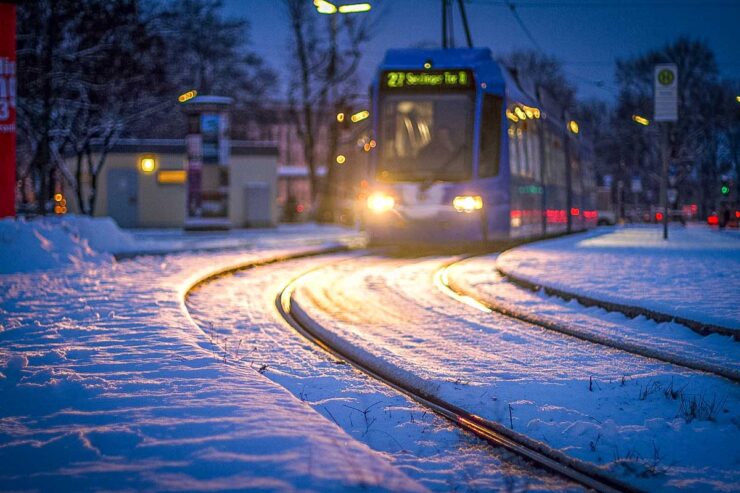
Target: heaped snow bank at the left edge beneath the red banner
{"x": 50, "y": 242}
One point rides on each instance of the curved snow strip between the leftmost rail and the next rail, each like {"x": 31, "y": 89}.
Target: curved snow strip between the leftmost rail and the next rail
{"x": 237, "y": 312}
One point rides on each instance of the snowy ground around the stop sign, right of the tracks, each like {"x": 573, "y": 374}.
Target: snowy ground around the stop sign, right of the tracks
{"x": 694, "y": 275}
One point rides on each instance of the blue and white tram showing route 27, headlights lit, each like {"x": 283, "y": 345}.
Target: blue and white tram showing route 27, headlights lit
{"x": 465, "y": 155}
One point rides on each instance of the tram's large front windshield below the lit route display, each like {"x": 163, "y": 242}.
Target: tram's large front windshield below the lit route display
{"x": 426, "y": 137}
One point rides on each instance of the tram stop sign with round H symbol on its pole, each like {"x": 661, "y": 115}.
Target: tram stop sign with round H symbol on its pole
{"x": 666, "y": 110}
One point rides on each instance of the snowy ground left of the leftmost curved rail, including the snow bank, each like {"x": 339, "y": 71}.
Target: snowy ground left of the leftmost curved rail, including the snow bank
{"x": 105, "y": 384}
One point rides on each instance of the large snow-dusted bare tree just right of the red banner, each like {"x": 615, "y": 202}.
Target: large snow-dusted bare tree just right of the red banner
{"x": 87, "y": 71}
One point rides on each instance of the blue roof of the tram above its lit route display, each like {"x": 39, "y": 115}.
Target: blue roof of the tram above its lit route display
{"x": 480, "y": 60}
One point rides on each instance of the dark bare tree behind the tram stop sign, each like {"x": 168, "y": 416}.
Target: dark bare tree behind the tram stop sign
{"x": 696, "y": 140}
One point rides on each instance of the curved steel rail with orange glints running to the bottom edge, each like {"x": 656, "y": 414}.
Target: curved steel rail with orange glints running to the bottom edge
{"x": 573, "y": 469}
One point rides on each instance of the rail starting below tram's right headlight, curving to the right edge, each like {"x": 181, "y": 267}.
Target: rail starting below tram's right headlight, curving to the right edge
{"x": 454, "y": 291}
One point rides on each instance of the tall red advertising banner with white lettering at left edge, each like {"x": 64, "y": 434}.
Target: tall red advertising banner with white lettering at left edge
{"x": 7, "y": 109}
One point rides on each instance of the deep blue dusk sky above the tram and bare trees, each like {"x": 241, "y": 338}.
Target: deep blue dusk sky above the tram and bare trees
{"x": 586, "y": 35}
